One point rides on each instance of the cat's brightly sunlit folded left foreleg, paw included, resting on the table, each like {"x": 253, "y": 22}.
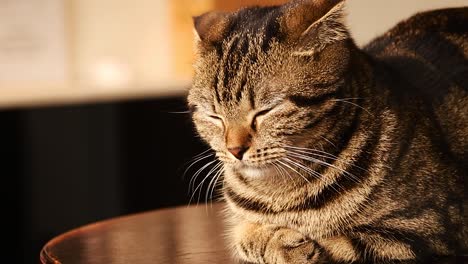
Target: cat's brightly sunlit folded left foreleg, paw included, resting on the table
{"x": 270, "y": 244}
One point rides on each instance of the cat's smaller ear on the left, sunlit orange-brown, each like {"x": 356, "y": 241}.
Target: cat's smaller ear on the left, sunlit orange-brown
{"x": 210, "y": 28}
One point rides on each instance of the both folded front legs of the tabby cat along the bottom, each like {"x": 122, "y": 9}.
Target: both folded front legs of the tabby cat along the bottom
{"x": 271, "y": 244}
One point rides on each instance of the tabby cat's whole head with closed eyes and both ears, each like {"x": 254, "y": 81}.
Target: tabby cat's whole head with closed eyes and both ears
{"x": 264, "y": 77}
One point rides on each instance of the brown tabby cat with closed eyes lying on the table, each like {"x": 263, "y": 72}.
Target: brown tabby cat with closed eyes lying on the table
{"x": 332, "y": 153}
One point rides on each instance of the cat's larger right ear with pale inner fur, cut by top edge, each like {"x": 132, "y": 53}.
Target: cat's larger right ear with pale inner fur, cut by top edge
{"x": 314, "y": 24}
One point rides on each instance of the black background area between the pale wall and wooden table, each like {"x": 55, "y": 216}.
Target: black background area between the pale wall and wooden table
{"x": 67, "y": 166}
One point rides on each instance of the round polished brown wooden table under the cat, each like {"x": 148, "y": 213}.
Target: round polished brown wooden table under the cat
{"x": 176, "y": 236}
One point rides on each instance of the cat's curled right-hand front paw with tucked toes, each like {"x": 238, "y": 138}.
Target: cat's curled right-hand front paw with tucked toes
{"x": 289, "y": 246}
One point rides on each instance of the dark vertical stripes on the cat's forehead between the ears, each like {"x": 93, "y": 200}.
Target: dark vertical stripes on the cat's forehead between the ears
{"x": 250, "y": 36}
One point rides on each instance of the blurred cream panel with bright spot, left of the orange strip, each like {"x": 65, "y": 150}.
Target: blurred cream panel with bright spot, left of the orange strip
{"x": 122, "y": 42}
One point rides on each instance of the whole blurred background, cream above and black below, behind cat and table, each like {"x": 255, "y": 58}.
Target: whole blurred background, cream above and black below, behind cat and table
{"x": 92, "y": 101}
